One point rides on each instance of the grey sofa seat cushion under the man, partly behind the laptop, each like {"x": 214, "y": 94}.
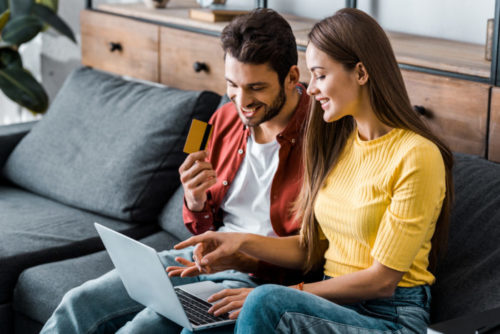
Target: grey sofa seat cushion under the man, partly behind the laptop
{"x": 36, "y": 296}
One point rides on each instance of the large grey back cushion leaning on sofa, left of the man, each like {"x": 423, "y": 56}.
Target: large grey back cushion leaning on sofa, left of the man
{"x": 109, "y": 145}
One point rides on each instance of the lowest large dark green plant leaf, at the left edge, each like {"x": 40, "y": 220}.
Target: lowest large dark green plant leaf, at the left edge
{"x": 21, "y": 87}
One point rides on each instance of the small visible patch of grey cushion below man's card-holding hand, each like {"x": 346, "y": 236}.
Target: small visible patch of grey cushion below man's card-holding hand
{"x": 171, "y": 217}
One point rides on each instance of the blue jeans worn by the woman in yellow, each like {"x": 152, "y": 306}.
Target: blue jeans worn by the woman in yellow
{"x": 277, "y": 309}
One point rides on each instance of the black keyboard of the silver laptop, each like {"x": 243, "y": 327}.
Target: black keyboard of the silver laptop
{"x": 197, "y": 309}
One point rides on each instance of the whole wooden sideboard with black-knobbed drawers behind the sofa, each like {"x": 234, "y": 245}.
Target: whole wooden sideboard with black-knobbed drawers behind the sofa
{"x": 166, "y": 46}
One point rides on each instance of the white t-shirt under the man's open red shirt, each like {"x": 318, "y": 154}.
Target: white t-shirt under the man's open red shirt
{"x": 246, "y": 206}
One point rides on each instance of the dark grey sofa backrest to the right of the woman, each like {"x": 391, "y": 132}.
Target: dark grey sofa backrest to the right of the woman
{"x": 469, "y": 276}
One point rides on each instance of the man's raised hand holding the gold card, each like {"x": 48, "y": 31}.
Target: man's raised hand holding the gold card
{"x": 197, "y": 175}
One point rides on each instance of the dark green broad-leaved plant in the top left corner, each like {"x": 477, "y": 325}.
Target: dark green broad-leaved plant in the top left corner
{"x": 21, "y": 21}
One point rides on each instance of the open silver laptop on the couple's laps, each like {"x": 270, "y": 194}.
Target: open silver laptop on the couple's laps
{"x": 147, "y": 282}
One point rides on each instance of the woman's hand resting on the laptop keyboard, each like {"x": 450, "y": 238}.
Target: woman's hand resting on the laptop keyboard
{"x": 228, "y": 300}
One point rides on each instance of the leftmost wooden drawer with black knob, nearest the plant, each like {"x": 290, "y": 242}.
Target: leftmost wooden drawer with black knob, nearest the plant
{"x": 120, "y": 45}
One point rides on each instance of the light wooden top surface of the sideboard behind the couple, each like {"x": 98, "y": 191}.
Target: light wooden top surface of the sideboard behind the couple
{"x": 434, "y": 53}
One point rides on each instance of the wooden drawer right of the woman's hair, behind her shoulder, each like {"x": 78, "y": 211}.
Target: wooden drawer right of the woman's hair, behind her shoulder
{"x": 456, "y": 110}
